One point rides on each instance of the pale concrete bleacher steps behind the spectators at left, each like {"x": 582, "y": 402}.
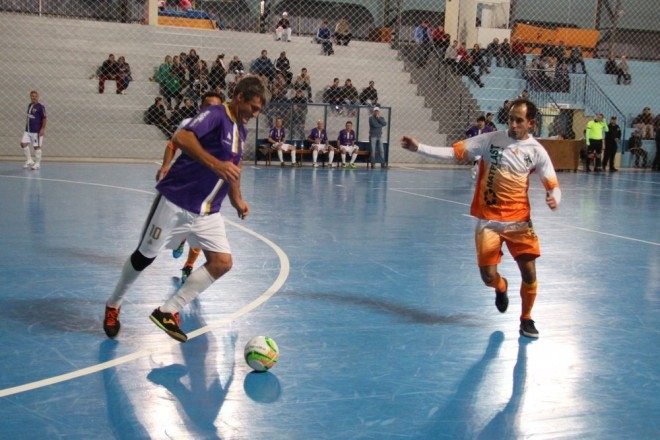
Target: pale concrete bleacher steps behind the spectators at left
{"x": 58, "y": 56}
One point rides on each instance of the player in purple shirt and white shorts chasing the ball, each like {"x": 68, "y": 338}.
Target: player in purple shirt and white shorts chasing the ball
{"x": 188, "y": 204}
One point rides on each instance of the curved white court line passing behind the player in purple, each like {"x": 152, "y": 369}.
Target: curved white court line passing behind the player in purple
{"x": 272, "y": 290}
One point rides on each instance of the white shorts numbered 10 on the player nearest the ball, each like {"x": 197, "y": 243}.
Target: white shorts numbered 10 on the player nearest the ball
{"x": 167, "y": 225}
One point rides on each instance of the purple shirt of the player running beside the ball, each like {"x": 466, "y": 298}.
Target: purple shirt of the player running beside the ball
{"x": 189, "y": 184}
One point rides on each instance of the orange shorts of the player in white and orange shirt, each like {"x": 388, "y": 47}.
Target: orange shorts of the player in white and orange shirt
{"x": 519, "y": 237}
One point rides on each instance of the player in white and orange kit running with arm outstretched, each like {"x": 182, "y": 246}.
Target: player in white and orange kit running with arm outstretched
{"x": 500, "y": 202}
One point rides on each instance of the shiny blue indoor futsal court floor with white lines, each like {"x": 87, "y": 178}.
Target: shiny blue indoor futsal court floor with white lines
{"x": 367, "y": 281}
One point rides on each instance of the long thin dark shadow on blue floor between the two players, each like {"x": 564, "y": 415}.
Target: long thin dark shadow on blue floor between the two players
{"x": 405, "y": 312}
